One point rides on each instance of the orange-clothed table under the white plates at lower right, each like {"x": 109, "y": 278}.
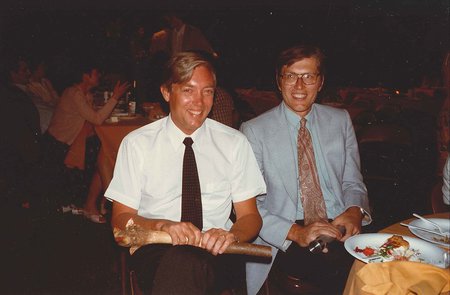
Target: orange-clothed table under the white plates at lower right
{"x": 353, "y": 284}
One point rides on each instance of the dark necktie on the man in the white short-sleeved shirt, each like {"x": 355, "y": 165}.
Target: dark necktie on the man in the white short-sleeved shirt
{"x": 191, "y": 204}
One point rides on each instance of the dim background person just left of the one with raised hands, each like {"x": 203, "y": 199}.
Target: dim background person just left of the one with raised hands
{"x": 44, "y": 95}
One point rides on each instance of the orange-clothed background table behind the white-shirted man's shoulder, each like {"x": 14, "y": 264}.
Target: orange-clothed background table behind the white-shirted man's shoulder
{"x": 111, "y": 133}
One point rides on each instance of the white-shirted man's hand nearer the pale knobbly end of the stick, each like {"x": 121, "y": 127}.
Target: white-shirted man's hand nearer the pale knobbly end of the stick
{"x": 182, "y": 233}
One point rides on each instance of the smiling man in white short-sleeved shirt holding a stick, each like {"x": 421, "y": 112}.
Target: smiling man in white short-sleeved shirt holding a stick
{"x": 150, "y": 186}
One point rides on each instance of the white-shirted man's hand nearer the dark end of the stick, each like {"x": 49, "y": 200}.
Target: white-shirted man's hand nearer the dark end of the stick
{"x": 217, "y": 240}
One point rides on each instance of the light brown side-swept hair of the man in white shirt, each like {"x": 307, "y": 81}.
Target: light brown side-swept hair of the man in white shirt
{"x": 181, "y": 66}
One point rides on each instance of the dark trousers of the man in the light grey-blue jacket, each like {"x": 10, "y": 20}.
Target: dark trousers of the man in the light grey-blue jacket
{"x": 327, "y": 272}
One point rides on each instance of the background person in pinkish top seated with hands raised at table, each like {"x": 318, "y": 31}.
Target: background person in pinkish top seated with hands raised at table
{"x": 74, "y": 116}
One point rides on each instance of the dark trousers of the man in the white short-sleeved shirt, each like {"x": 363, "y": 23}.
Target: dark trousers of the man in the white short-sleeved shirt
{"x": 167, "y": 269}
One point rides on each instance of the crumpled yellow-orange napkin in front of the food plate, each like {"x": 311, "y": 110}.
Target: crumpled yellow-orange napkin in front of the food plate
{"x": 400, "y": 278}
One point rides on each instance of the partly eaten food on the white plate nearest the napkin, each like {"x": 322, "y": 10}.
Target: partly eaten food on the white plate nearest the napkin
{"x": 395, "y": 248}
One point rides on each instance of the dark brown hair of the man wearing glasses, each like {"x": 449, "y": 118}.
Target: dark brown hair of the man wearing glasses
{"x": 293, "y": 54}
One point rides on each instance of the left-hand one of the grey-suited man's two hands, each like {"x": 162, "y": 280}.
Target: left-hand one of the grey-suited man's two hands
{"x": 303, "y": 235}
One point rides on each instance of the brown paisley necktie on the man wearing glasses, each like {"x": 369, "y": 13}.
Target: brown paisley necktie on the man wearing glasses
{"x": 312, "y": 199}
